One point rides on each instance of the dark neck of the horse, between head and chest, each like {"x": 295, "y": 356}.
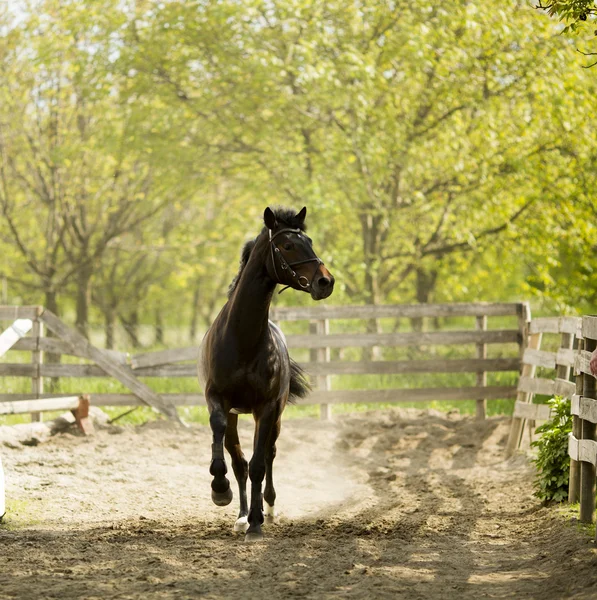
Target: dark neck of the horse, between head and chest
{"x": 249, "y": 305}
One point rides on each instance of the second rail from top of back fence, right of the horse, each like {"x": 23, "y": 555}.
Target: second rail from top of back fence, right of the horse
{"x": 361, "y": 340}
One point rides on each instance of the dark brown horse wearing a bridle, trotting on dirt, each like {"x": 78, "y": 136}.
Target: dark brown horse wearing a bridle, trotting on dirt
{"x": 244, "y": 362}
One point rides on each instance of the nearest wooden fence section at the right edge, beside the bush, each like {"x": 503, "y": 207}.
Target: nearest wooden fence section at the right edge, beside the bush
{"x": 582, "y": 446}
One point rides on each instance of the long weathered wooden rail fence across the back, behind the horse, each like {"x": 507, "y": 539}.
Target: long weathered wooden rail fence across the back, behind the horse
{"x": 322, "y": 340}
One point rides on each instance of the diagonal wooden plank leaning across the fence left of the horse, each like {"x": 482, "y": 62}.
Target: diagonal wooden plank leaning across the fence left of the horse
{"x": 121, "y": 372}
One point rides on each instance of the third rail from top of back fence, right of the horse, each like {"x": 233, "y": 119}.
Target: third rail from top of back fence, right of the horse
{"x": 388, "y": 367}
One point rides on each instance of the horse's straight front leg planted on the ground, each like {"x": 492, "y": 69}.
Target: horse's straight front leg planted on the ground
{"x": 263, "y": 435}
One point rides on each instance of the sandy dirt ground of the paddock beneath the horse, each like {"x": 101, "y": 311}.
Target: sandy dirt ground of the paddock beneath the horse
{"x": 395, "y": 504}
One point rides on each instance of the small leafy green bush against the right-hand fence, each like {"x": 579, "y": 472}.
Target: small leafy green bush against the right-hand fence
{"x": 553, "y": 462}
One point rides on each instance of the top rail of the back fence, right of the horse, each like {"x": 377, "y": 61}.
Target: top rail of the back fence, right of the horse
{"x": 322, "y": 311}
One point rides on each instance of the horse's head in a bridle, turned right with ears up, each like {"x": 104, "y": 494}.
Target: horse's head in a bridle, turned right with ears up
{"x": 292, "y": 262}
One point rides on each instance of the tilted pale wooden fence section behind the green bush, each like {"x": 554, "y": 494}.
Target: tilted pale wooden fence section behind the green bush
{"x": 557, "y": 363}
